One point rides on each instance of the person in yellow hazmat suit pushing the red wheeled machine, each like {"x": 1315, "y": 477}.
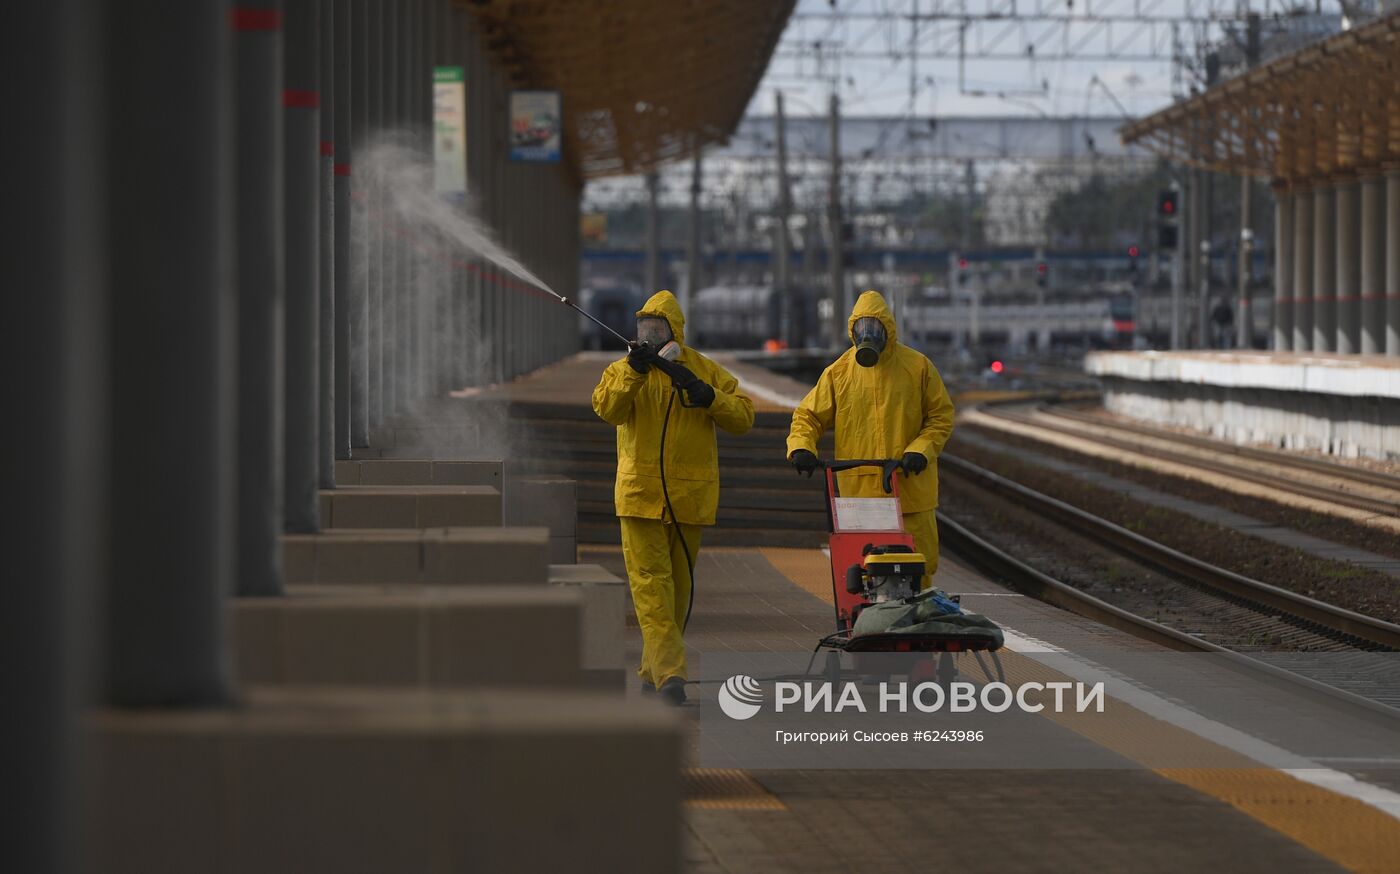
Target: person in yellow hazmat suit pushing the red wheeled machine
{"x": 885, "y": 401}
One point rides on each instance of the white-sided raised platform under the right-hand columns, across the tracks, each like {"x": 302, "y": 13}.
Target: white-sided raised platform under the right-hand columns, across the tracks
{"x": 1332, "y": 404}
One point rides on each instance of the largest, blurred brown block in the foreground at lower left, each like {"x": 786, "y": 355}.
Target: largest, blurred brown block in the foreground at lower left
{"x": 311, "y": 779}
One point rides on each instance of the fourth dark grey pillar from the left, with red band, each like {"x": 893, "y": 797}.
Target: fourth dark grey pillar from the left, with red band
{"x": 303, "y": 215}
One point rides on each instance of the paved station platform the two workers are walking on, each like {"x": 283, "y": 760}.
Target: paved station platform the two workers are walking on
{"x": 1261, "y": 795}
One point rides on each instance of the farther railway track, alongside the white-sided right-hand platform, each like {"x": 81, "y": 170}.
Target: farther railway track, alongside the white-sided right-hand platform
{"x": 1367, "y": 491}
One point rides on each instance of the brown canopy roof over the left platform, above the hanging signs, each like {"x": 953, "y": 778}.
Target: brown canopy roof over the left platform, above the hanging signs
{"x": 642, "y": 83}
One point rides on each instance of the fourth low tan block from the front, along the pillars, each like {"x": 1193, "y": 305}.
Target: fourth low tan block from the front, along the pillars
{"x": 422, "y": 506}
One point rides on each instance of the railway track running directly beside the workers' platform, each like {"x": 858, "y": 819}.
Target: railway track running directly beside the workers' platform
{"x": 1233, "y": 614}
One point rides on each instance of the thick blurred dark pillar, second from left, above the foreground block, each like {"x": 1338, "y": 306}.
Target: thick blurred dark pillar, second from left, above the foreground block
{"x": 173, "y": 320}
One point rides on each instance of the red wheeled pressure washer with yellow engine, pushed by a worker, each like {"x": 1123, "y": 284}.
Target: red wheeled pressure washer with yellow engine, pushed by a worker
{"x": 876, "y": 585}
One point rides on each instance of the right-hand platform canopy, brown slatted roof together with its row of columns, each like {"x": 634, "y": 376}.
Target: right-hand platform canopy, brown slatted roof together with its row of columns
{"x": 1325, "y": 125}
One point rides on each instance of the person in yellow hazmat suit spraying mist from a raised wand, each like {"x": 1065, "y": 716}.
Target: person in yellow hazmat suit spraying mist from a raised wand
{"x": 652, "y": 401}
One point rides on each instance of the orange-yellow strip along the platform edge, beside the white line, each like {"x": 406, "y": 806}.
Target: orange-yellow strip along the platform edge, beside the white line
{"x": 1346, "y": 831}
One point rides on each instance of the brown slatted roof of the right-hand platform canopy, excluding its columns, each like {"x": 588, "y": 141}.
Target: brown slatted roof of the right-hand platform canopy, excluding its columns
{"x": 1329, "y": 110}
